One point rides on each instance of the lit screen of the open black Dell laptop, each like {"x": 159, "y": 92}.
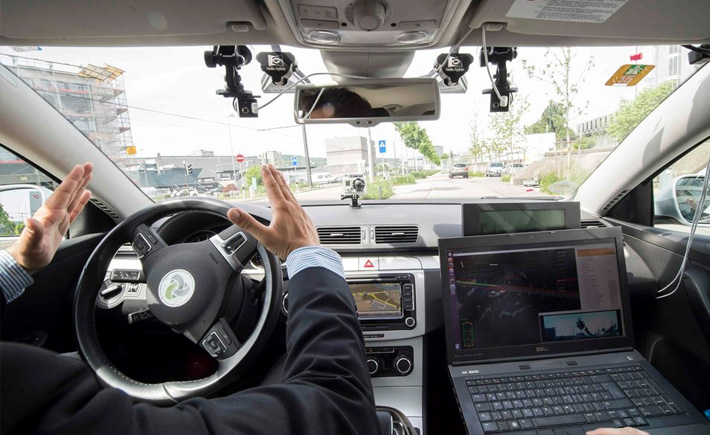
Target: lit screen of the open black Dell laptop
{"x": 520, "y": 297}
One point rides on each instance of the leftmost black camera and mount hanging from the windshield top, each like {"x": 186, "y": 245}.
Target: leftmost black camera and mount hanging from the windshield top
{"x": 233, "y": 57}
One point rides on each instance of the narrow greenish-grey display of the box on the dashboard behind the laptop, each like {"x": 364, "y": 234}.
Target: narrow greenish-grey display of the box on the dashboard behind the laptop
{"x": 518, "y": 221}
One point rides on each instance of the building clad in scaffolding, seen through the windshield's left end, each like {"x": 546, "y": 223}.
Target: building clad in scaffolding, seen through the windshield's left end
{"x": 93, "y": 98}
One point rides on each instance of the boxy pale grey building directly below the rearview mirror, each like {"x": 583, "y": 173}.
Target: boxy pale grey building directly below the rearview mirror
{"x": 347, "y": 155}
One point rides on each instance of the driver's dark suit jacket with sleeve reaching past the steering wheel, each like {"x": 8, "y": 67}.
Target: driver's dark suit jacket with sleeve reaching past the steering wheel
{"x": 326, "y": 388}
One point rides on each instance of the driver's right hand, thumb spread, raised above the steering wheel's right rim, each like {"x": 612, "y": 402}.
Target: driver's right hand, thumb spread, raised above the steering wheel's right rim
{"x": 290, "y": 228}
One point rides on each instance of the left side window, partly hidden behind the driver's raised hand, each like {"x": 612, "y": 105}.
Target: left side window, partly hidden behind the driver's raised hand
{"x": 23, "y": 189}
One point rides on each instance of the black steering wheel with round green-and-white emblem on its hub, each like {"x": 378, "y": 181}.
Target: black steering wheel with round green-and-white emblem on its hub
{"x": 192, "y": 288}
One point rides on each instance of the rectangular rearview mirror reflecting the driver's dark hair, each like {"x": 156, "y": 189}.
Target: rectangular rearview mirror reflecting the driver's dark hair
{"x": 368, "y": 102}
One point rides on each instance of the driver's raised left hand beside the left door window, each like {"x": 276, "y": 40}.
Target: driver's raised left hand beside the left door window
{"x": 44, "y": 231}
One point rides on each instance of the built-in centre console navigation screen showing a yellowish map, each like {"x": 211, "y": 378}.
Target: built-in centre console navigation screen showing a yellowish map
{"x": 378, "y": 300}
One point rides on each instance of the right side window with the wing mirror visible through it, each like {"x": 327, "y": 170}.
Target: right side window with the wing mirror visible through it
{"x": 677, "y": 190}
